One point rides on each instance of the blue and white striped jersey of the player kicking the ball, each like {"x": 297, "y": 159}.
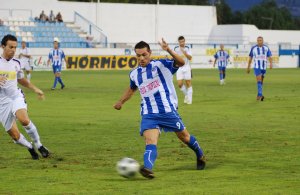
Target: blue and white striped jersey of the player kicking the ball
{"x": 155, "y": 83}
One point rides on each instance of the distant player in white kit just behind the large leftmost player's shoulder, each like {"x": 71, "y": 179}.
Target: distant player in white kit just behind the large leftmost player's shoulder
{"x": 24, "y": 56}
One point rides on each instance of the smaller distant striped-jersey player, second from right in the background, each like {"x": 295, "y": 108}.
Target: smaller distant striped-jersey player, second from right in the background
{"x": 222, "y": 57}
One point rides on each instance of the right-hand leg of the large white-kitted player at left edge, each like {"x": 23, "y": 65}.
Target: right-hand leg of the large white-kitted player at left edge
{"x": 31, "y": 130}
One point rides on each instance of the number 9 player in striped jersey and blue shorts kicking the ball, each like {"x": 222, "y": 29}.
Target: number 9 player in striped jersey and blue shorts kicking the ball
{"x": 154, "y": 81}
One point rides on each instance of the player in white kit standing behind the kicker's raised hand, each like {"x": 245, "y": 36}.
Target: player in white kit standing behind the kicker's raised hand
{"x": 185, "y": 72}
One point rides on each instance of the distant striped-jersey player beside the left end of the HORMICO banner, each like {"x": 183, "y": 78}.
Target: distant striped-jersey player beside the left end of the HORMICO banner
{"x": 56, "y": 57}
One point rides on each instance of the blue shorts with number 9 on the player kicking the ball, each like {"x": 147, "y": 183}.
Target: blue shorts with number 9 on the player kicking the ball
{"x": 169, "y": 122}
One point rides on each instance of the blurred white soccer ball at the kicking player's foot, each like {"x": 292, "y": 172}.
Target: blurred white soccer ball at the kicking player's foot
{"x": 128, "y": 167}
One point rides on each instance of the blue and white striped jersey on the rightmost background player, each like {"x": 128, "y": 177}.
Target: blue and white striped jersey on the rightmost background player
{"x": 260, "y": 56}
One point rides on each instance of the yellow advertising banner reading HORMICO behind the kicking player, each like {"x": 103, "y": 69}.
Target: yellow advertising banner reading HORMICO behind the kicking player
{"x": 111, "y": 62}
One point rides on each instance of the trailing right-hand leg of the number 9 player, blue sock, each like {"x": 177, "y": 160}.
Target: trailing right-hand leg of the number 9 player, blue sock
{"x": 192, "y": 142}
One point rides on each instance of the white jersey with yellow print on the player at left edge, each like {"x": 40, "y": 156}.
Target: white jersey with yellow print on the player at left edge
{"x": 11, "y": 69}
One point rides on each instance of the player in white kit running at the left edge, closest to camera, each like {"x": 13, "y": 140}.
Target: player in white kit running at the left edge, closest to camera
{"x": 12, "y": 100}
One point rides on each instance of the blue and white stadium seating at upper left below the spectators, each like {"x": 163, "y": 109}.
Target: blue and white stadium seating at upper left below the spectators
{"x": 40, "y": 34}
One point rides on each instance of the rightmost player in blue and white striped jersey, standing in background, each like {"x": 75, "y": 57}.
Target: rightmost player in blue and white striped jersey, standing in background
{"x": 261, "y": 54}
